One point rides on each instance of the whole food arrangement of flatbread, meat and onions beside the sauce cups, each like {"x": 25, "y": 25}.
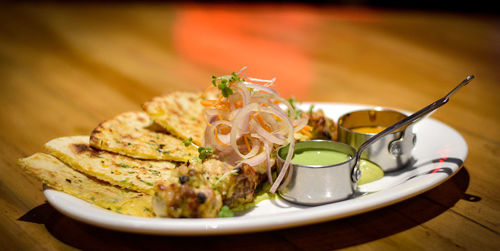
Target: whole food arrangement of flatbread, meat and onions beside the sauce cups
{"x": 187, "y": 155}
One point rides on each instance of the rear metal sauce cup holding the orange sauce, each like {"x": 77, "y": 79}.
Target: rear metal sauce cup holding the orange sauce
{"x": 391, "y": 152}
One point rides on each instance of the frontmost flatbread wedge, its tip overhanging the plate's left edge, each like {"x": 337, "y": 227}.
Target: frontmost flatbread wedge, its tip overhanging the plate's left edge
{"x": 59, "y": 176}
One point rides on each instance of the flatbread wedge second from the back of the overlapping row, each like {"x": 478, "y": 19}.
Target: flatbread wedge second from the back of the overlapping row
{"x": 131, "y": 134}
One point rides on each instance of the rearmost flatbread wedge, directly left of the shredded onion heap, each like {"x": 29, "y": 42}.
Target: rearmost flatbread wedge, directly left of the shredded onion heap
{"x": 180, "y": 113}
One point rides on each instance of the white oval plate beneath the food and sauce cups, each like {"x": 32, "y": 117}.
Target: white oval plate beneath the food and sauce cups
{"x": 439, "y": 153}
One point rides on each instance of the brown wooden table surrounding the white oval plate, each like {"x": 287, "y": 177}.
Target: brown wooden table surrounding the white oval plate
{"x": 65, "y": 68}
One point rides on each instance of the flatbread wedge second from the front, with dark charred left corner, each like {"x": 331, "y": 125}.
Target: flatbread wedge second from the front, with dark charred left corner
{"x": 119, "y": 170}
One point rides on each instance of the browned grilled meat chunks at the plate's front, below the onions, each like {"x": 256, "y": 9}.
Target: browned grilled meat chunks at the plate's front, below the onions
{"x": 203, "y": 188}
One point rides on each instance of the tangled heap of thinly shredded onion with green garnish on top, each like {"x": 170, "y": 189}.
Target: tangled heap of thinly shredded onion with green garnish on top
{"x": 259, "y": 120}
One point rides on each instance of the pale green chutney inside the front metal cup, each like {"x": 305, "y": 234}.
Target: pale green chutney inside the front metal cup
{"x": 318, "y": 157}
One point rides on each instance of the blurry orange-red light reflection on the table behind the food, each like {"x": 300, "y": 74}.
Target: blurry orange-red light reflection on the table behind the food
{"x": 272, "y": 40}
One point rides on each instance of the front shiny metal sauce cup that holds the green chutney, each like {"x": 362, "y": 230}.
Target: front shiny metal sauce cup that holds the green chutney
{"x": 314, "y": 185}
